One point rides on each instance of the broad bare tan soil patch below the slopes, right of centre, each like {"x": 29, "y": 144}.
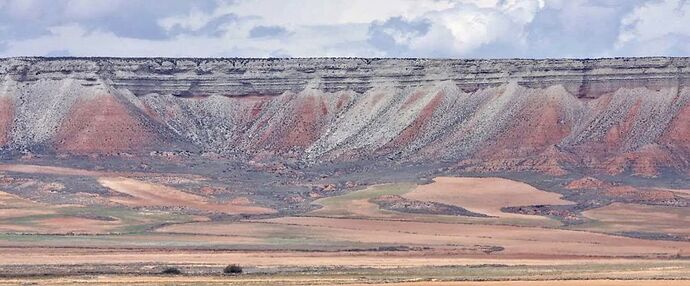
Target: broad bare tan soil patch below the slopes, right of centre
{"x": 485, "y": 195}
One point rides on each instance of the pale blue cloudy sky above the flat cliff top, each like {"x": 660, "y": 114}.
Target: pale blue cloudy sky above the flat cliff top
{"x": 345, "y": 28}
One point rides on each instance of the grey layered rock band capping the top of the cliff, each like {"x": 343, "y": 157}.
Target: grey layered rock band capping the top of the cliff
{"x": 241, "y": 77}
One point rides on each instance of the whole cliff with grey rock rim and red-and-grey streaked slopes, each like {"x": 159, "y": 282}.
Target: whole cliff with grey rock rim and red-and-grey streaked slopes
{"x": 620, "y": 115}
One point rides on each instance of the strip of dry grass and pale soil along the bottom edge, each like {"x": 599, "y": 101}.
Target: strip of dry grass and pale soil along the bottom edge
{"x": 654, "y": 272}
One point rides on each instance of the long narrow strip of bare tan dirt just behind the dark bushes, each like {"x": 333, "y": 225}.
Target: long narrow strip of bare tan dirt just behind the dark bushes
{"x": 276, "y": 259}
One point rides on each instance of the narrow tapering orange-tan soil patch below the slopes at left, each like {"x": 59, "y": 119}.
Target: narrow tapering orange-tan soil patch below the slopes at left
{"x": 141, "y": 193}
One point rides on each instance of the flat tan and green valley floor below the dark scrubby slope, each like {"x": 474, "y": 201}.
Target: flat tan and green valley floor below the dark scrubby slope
{"x": 144, "y": 226}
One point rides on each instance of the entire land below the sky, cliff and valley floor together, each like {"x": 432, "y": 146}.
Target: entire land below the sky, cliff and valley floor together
{"x": 345, "y": 171}
